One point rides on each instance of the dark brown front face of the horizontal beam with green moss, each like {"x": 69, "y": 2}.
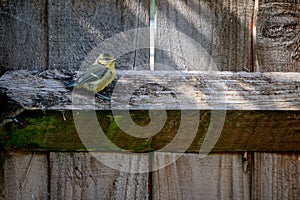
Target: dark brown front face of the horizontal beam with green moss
{"x": 241, "y": 131}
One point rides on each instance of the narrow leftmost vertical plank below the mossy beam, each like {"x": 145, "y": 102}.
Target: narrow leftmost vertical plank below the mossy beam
{"x": 25, "y": 176}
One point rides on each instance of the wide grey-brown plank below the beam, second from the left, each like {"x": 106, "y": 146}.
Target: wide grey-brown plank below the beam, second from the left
{"x": 82, "y": 176}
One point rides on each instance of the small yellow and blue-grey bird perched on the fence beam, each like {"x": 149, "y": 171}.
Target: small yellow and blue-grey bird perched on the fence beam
{"x": 98, "y": 76}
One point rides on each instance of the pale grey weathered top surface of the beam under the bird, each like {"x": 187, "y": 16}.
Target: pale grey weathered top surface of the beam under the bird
{"x": 140, "y": 90}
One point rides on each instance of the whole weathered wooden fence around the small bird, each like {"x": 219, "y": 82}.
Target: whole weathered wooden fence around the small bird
{"x": 257, "y": 155}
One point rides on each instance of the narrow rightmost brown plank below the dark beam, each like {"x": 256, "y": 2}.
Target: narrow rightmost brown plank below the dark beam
{"x": 276, "y": 176}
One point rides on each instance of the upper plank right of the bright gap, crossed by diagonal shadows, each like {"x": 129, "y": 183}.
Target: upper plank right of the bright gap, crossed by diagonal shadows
{"x": 191, "y": 34}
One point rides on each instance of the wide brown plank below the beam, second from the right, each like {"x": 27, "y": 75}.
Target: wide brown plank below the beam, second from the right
{"x": 216, "y": 176}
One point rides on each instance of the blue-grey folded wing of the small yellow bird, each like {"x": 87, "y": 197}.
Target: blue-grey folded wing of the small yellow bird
{"x": 95, "y": 72}
